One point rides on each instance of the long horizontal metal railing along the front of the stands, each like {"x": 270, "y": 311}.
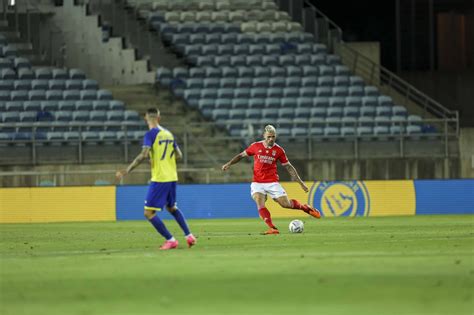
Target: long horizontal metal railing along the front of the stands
{"x": 37, "y": 138}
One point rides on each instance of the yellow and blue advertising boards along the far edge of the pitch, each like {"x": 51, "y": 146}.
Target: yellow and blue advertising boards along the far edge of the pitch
{"x": 333, "y": 198}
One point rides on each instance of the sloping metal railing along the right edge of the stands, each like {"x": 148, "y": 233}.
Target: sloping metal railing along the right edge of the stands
{"x": 329, "y": 33}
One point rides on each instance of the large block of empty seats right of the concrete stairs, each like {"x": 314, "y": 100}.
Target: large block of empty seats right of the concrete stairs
{"x": 248, "y": 61}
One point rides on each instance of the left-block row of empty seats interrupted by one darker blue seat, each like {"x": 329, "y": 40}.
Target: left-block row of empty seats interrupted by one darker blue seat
{"x": 81, "y": 115}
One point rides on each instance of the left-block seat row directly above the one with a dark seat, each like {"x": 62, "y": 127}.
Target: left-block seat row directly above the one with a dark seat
{"x": 51, "y": 106}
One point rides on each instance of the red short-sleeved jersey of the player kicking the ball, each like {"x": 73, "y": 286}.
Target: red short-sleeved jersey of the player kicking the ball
{"x": 265, "y": 159}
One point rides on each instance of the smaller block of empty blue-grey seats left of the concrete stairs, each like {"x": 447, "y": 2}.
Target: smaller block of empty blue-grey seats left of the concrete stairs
{"x": 54, "y": 106}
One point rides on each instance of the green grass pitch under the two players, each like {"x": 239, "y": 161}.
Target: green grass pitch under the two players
{"x": 391, "y": 265}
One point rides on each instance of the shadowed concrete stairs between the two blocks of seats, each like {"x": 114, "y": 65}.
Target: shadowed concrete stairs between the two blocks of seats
{"x": 205, "y": 146}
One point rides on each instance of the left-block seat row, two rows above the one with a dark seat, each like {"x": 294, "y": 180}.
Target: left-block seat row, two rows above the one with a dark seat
{"x": 44, "y": 95}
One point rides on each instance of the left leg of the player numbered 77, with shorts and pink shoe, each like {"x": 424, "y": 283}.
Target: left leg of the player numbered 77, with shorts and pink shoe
{"x": 154, "y": 203}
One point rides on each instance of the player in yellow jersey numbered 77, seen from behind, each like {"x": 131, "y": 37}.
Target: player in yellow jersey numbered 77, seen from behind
{"x": 159, "y": 145}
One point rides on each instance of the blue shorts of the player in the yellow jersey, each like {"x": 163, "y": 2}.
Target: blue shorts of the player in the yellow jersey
{"x": 160, "y": 195}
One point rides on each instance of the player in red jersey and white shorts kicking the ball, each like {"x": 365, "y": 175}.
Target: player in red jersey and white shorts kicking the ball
{"x": 266, "y": 153}
